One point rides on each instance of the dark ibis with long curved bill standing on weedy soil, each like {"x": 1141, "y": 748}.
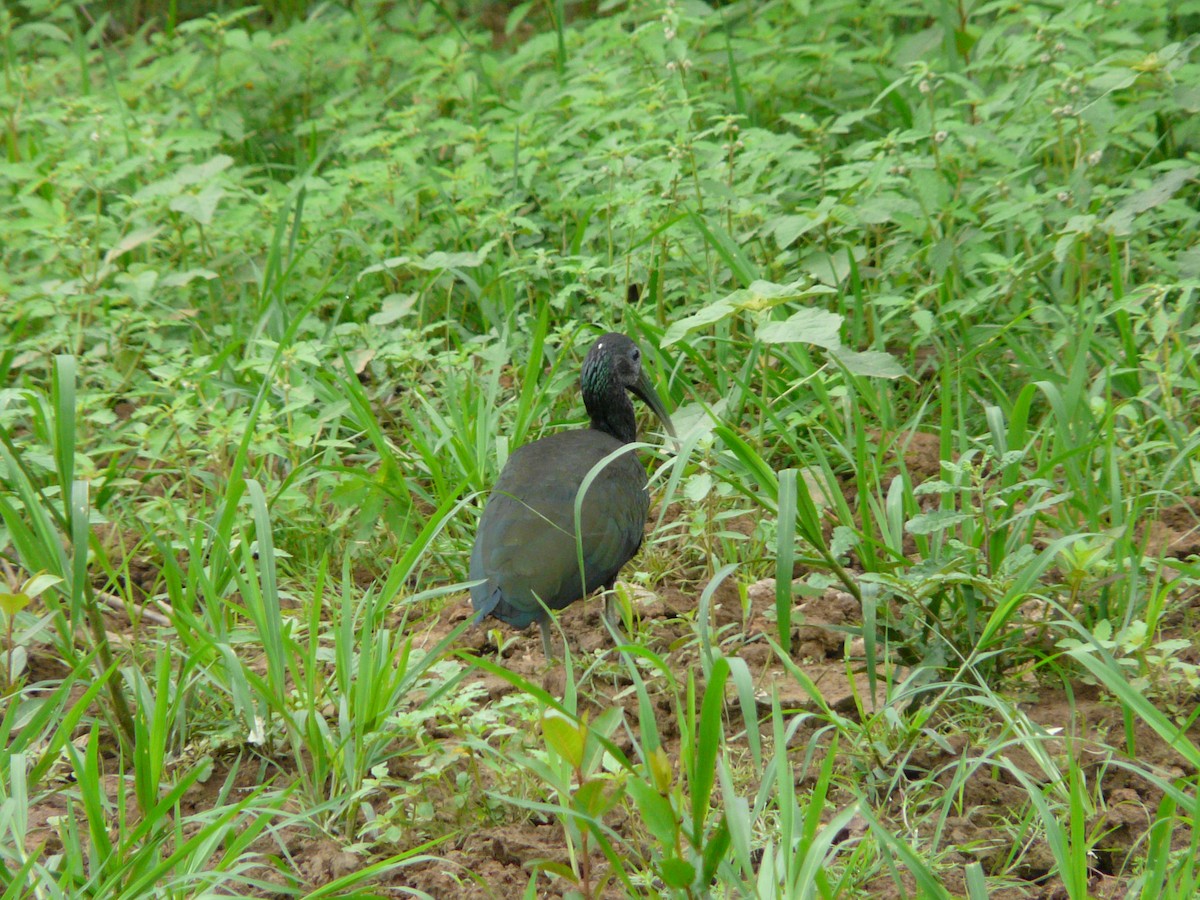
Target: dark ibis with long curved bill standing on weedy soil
{"x": 526, "y": 559}
